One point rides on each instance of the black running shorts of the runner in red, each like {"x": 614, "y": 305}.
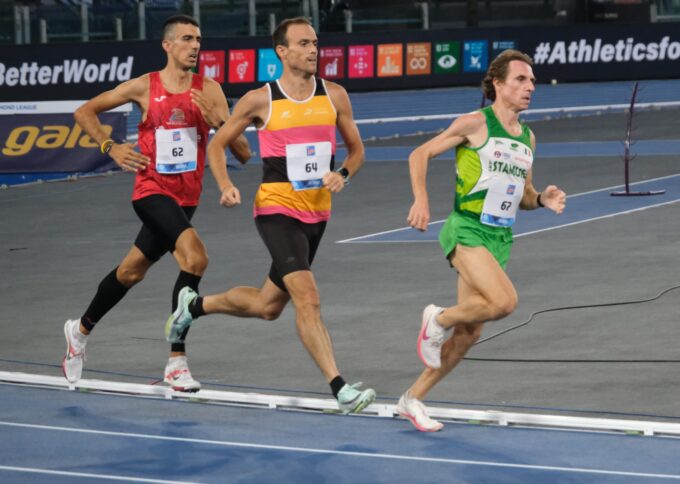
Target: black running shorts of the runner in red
{"x": 164, "y": 220}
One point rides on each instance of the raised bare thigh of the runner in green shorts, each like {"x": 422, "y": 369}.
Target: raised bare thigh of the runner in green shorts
{"x": 482, "y": 274}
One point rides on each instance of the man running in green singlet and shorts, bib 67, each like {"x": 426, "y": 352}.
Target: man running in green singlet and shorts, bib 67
{"x": 494, "y": 156}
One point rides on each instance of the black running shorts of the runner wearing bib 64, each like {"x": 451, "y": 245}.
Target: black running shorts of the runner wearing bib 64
{"x": 291, "y": 243}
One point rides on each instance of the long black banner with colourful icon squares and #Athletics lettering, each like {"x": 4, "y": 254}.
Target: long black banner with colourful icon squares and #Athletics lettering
{"x": 361, "y": 61}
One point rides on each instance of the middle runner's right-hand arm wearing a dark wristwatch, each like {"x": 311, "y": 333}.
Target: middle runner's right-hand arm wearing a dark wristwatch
{"x": 350, "y": 135}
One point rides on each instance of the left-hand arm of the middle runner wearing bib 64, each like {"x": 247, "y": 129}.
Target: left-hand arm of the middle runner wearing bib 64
{"x": 247, "y": 110}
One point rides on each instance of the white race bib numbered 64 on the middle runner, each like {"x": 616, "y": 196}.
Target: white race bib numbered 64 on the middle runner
{"x": 307, "y": 163}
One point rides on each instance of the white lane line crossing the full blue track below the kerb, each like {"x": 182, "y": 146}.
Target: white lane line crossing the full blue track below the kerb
{"x": 439, "y": 460}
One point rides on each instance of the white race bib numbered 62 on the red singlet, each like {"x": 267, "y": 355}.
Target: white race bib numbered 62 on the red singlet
{"x": 176, "y": 150}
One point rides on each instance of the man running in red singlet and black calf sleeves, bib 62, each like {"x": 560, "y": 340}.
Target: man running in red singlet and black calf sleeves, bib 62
{"x": 178, "y": 109}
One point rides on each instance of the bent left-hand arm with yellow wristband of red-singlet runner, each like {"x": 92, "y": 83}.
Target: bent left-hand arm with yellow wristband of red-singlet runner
{"x": 135, "y": 90}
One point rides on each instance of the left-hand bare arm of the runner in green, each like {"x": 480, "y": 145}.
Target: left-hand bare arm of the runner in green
{"x": 456, "y": 134}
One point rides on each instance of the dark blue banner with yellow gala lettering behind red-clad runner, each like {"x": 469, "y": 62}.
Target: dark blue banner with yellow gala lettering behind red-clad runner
{"x": 54, "y": 143}
